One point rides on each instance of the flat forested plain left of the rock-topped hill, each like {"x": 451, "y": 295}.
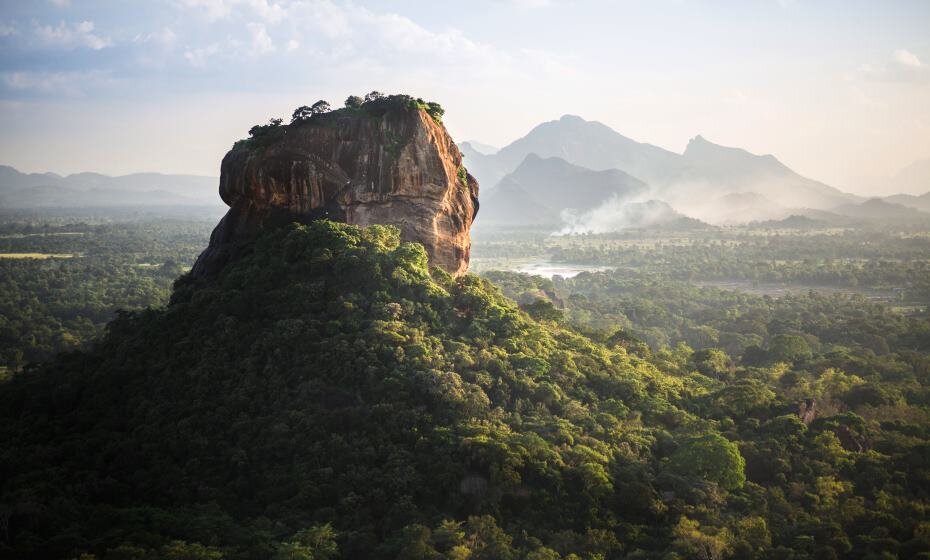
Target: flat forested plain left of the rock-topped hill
{"x": 63, "y": 277}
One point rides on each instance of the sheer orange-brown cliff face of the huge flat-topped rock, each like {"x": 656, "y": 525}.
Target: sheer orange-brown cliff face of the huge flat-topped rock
{"x": 401, "y": 168}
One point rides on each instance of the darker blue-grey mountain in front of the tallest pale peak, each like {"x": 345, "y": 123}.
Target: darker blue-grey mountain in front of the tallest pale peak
{"x": 540, "y": 190}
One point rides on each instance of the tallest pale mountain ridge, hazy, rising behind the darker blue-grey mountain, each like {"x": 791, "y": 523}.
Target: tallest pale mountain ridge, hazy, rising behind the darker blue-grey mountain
{"x": 704, "y": 172}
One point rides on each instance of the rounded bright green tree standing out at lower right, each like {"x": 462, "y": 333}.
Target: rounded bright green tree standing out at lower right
{"x": 712, "y": 458}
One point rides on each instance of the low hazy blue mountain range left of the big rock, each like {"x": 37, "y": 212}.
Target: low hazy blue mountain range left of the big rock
{"x": 83, "y": 190}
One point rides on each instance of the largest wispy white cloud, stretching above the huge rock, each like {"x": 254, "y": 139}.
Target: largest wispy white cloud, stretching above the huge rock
{"x": 347, "y": 34}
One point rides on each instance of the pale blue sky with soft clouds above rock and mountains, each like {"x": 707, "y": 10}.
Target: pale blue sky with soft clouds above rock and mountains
{"x": 837, "y": 90}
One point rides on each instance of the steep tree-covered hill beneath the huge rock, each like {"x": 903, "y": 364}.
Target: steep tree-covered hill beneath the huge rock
{"x": 329, "y": 389}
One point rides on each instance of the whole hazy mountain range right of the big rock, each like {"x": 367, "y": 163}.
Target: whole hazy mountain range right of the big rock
{"x": 562, "y": 170}
